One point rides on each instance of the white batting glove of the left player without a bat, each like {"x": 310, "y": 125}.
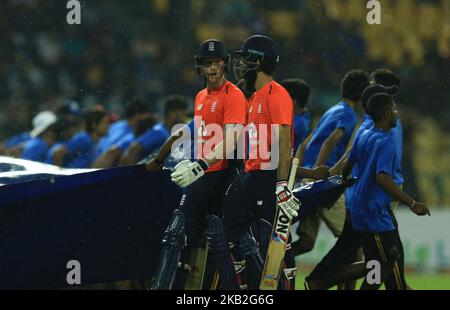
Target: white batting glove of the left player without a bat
{"x": 187, "y": 172}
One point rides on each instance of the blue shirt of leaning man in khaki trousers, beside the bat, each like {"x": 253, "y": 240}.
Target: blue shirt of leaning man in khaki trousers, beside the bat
{"x": 340, "y": 116}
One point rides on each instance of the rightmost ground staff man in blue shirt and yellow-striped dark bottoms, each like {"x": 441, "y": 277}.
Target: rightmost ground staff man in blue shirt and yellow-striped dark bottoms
{"x": 374, "y": 154}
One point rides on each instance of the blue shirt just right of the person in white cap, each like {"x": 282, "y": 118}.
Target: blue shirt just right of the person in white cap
{"x": 81, "y": 151}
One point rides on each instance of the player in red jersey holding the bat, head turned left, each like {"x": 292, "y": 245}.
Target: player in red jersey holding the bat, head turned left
{"x": 263, "y": 183}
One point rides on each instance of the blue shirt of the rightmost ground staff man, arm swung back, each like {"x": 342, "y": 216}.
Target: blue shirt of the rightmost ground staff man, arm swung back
{"x": 373, "y": 153}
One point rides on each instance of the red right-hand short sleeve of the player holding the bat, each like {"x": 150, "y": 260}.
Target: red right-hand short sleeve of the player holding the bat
{"x": 281, "y": 108}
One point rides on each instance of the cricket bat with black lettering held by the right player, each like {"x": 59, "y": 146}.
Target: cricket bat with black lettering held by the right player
{"x": 278, "y": 241}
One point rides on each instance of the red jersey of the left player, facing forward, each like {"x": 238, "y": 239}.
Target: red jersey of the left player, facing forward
{"x": 213, "y": 110}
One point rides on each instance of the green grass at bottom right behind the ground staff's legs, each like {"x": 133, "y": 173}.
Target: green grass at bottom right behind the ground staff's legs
{"x": 416, "y": 281}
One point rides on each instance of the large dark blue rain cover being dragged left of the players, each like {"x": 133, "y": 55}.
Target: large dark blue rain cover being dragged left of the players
{"x": 110, "y": 220}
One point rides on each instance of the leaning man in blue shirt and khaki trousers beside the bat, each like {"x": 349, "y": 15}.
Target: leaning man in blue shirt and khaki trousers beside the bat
{"x": 324, "y": 147}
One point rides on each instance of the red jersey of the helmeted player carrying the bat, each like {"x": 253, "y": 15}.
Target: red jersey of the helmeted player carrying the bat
{"x": 271, "y": 105}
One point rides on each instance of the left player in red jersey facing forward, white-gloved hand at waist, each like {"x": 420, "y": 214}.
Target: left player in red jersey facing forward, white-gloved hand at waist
{"x": 218, "y": 109}
